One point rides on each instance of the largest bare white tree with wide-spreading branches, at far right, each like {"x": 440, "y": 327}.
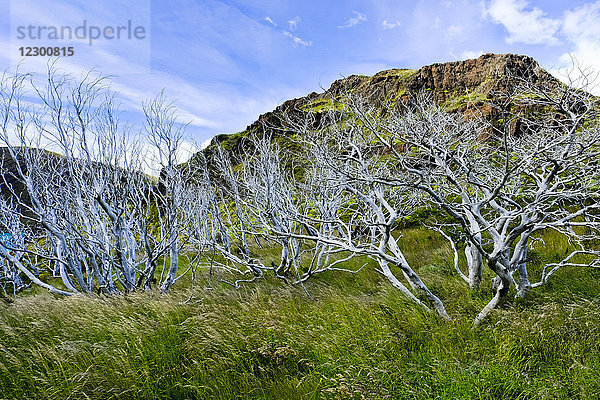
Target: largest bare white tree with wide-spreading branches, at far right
{"x": 502, "y": 187}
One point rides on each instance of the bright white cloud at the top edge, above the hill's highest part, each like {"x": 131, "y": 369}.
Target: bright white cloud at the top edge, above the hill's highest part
{"x": 529, "y": 26}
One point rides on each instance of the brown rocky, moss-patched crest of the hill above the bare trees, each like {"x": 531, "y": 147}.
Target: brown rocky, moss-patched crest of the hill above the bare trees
{"x": 459, "y": 86}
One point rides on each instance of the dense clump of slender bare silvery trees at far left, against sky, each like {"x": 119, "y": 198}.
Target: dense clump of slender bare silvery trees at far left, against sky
{"x": 77, "y": 179}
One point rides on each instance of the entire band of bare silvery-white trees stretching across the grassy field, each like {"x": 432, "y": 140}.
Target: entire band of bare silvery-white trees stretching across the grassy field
{"x": 78, "y": 205}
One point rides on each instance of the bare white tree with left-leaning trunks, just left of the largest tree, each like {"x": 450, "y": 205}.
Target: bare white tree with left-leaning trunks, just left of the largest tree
{"x": 348, "y": 205}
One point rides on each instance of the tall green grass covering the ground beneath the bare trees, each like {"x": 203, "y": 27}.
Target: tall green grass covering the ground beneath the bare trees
{"x": 355, "y": 338}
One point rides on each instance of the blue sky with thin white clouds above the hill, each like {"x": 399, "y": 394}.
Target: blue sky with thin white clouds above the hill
{"x": 225, "y": 62}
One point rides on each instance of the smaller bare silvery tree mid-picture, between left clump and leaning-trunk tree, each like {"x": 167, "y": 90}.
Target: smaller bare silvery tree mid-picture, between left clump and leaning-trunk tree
{"x": 254, "y": 200}
